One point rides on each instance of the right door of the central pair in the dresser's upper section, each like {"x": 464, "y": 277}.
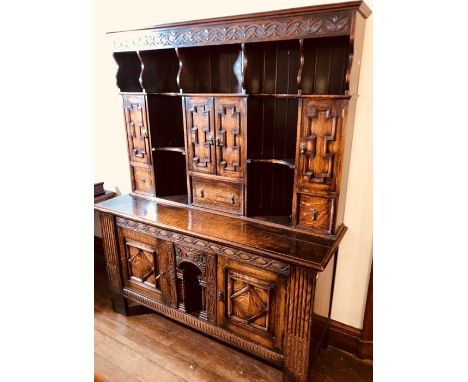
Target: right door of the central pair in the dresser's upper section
{"x": 230, "y": 124}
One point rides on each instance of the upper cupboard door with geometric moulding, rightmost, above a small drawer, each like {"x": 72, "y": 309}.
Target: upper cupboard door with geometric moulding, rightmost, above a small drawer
{"x": 319, "y": 149}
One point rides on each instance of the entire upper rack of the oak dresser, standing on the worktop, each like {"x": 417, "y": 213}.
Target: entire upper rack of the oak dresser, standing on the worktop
{"x": 249, "y": 116}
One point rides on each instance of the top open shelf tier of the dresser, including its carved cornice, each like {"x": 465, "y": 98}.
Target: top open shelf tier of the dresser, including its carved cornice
{"x": 295, "y": 52}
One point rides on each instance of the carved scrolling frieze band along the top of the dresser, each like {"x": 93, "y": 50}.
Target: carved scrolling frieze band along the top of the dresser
{"x": 281, "y": 28}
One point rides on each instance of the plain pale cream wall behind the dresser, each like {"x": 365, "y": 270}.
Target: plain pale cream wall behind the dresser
{"x": 111, "y": 164}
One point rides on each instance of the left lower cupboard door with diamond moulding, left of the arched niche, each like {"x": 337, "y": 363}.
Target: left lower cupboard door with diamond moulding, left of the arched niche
{"x": 148, "y": 266}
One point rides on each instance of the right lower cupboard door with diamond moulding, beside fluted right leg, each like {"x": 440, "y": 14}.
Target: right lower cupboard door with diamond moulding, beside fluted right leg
{"x": 251, "y": 302}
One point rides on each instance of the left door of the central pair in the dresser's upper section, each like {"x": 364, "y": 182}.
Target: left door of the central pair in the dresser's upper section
{"x": 200, "y": 134}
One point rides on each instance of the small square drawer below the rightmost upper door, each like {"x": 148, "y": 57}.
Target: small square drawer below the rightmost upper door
{"x": 316, "y": 213}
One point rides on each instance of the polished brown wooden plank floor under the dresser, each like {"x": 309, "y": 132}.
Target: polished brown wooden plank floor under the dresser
{"x": 152, "y": 348}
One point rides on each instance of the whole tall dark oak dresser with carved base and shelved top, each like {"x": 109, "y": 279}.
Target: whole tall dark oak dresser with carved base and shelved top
{"x": 239, "y": 134}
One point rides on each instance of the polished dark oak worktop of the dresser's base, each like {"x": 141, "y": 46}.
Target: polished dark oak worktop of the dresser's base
{"x": 296, "y": 248}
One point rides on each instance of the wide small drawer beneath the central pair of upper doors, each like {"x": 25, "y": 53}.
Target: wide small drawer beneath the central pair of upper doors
{"x": 218, "y": 195}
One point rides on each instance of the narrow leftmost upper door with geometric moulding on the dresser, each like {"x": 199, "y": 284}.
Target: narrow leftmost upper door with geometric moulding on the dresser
{"x": 139, "y": 148}
